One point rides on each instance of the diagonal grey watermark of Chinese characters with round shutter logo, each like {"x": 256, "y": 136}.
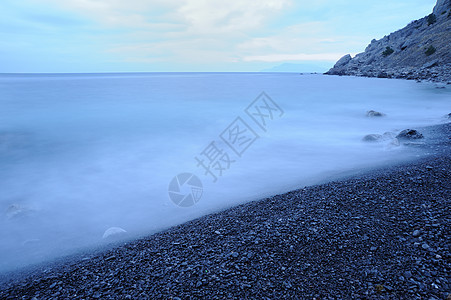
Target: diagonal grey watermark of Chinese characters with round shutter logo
{"x": 186, "y": 189}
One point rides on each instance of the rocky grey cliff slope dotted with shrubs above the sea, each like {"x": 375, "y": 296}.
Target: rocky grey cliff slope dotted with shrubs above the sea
{"x": 421, "y": 50}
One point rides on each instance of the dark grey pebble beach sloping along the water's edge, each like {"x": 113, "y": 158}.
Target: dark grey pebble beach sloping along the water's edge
{"x": 355, "y": 237}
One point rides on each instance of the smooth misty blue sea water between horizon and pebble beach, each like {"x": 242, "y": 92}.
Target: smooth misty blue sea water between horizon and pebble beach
{"x": 80, "y": 153}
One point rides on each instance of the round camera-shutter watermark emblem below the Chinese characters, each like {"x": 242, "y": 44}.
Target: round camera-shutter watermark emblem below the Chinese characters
{"x": 185, "y": 189}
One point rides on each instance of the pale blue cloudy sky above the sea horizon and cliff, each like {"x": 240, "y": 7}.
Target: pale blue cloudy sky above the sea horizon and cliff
{"x": 191, "y": 35}
